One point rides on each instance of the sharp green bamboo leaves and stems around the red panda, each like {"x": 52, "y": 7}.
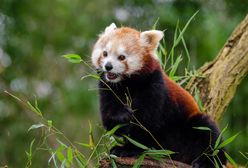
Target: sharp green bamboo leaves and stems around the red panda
{"x": 70, "y": 156}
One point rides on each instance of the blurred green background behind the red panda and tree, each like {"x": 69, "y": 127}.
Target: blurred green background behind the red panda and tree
{"x": 34, "y": 35}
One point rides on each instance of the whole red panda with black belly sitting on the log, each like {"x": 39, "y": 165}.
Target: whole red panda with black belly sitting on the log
{"x": 129, "y": 65}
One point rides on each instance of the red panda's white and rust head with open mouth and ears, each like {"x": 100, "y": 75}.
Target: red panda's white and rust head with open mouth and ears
{"x": 120, "y": 52}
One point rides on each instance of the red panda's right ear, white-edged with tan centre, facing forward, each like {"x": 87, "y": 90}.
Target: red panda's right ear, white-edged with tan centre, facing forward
{"x": 151, "y": 38}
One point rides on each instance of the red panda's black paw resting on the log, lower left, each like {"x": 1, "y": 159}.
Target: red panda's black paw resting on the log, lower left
{"x": 125, "y": 151}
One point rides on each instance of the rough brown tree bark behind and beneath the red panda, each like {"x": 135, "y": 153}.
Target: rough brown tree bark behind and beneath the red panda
{"x": 217, "y": 87}
